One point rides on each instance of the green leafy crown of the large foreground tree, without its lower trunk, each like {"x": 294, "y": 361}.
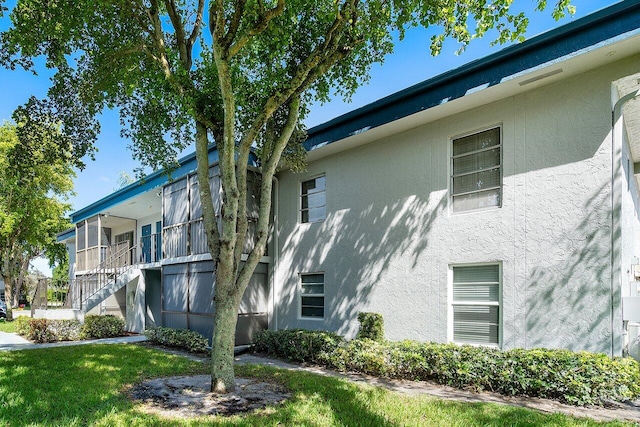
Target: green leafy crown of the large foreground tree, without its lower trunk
{"x": 154, "y": 63}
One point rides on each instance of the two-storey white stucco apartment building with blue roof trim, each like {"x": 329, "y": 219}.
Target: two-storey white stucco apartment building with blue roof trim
{"x": 496, "y": 204}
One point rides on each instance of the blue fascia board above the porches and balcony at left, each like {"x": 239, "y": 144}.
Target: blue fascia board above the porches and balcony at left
{"x": 187, "y": 165}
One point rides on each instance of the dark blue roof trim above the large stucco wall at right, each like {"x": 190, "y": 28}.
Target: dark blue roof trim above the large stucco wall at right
{"x": 596, "y": 28}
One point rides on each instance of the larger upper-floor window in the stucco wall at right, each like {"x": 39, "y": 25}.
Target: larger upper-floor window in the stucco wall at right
{"x": 476, "y": 178}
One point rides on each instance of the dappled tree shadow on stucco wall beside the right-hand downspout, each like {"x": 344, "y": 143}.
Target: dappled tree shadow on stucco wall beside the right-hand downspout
{"x": 568, "y": 303}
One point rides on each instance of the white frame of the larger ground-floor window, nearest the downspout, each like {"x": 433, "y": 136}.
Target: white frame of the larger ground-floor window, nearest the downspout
{"x": 451, "y": 303}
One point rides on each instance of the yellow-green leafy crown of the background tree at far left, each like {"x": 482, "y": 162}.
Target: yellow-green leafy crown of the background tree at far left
{"x": 35, "y": 181}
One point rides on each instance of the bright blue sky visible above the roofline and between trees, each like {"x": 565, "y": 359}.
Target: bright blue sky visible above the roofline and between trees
{"x": 411, "y": 63}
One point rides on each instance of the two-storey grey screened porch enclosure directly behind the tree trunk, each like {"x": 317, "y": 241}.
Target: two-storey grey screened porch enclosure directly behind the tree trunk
{"x": 188, "y": 278}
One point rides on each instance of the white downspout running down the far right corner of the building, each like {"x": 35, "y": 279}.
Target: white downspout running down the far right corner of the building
{"x": 616, "y": 150}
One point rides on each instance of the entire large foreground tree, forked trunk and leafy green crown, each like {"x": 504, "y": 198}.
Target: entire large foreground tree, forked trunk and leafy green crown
{"x": 237, "y": 73}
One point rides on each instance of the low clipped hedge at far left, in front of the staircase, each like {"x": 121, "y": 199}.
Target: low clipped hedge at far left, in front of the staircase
{"x": 48, "y": 330}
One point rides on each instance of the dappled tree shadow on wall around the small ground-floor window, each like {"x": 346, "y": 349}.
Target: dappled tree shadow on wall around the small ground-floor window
{"x": 359, "y": 250}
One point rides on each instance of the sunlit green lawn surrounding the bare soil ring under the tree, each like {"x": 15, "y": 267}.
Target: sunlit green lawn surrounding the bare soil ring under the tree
{"x": 84, "y": 385}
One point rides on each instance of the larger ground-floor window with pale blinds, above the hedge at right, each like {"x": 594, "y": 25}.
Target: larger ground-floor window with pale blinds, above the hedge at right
{"x": 476, "y": 304}
